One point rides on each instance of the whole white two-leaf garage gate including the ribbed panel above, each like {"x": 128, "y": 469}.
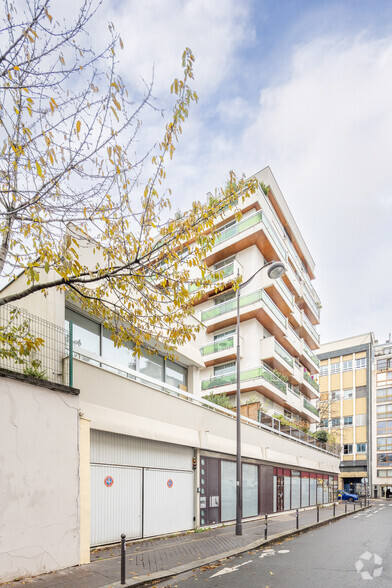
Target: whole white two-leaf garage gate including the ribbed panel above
{"x": 140, "y": 487}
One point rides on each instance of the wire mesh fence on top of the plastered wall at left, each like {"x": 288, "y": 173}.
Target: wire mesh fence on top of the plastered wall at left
{"x": 33, "y": 346}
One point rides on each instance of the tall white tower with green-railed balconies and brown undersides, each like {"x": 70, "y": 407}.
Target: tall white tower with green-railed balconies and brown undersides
{"x": 278, "y": 336}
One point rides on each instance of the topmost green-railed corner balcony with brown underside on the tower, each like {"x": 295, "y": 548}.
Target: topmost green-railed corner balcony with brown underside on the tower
{"x": 253, "y": 229}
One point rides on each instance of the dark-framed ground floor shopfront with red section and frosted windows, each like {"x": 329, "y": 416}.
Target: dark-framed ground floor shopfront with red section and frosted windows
{"x": 265, "y": 489}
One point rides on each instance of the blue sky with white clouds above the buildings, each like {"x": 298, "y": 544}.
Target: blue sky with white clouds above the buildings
{"x": 302, "y": 86}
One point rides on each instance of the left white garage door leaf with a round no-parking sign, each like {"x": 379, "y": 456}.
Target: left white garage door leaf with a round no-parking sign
{"x": 116, "y": 503}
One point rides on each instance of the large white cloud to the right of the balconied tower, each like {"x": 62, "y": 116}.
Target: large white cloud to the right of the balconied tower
{"x": 326, "y": 132}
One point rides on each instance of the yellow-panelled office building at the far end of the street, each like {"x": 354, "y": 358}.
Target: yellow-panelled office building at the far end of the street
{"x": 345, "y": 406}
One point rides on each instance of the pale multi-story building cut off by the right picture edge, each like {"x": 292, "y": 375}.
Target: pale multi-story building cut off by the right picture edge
{"x": 382, "y": 420}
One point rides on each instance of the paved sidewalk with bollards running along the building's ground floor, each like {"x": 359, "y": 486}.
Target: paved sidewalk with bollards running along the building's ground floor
{"x": 188, "y": 550}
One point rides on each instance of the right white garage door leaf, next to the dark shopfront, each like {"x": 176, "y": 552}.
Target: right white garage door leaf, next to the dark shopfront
{"x": 168, "y": 501}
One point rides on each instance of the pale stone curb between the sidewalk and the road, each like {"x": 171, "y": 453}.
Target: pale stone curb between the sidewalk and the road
{"x": 148, "y": 579}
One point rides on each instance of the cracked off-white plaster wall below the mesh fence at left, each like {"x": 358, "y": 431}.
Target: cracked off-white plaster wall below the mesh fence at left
{"x": 39, "y": 490}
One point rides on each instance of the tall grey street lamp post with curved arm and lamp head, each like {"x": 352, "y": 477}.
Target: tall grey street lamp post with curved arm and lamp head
{"x": 275, "y": 270}
